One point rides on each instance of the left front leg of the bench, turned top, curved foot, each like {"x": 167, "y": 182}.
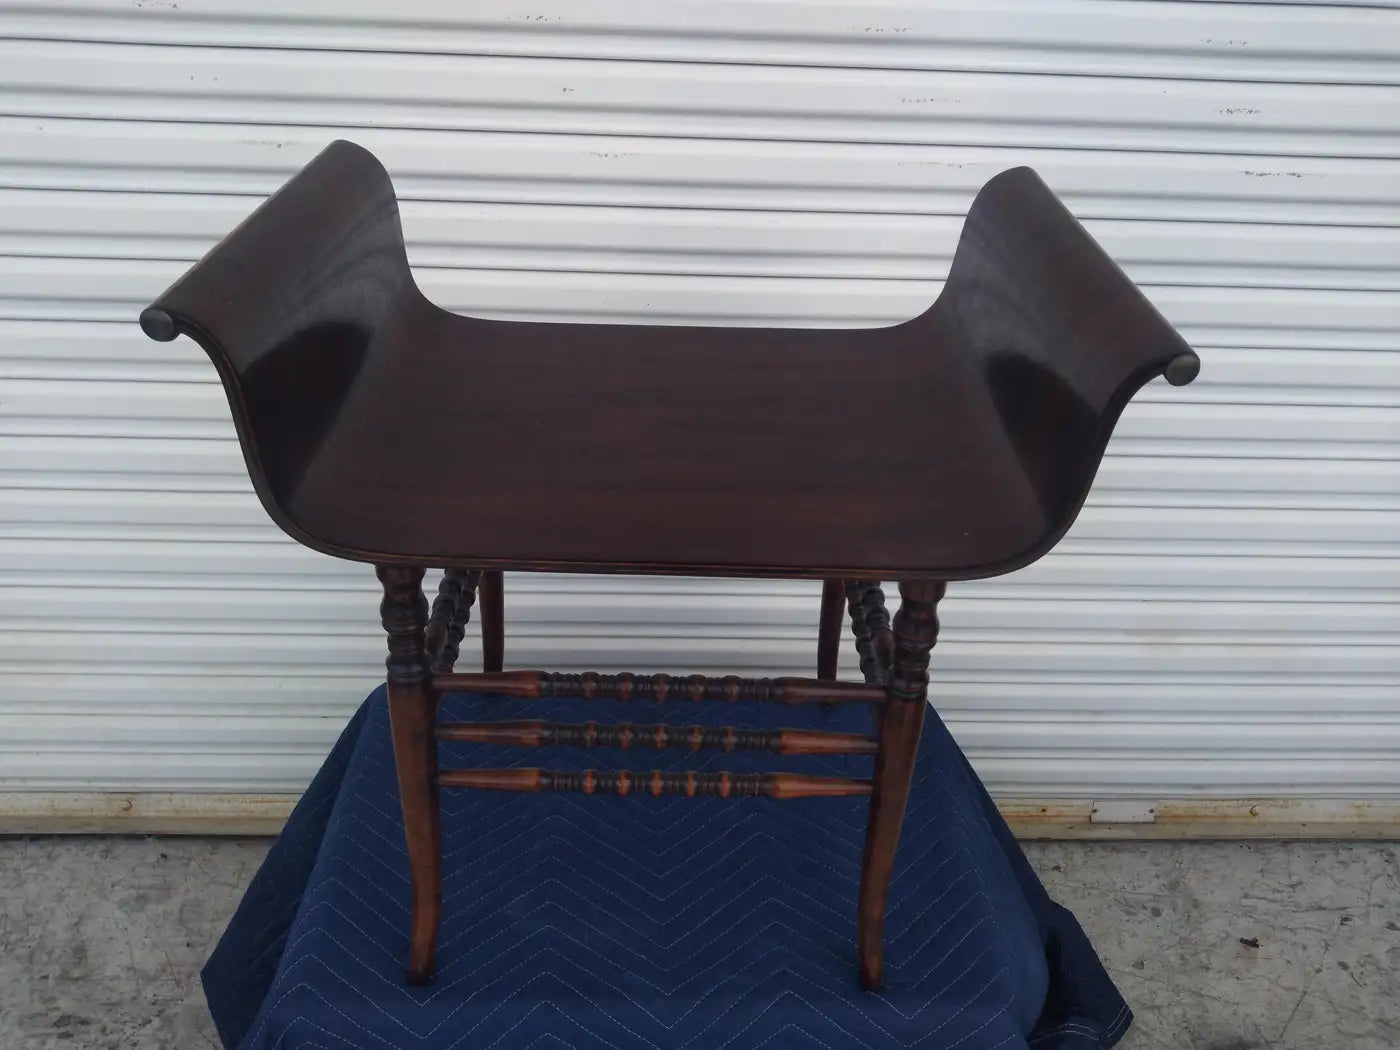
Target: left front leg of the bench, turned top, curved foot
{"x": 412, "y": 715}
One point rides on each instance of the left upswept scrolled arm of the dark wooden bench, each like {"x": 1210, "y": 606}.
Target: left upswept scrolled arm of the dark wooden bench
{"x": 292, "y": 306}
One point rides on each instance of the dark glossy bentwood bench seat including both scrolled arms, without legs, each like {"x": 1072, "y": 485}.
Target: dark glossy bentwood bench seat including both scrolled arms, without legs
{"x": 349, "y": 387}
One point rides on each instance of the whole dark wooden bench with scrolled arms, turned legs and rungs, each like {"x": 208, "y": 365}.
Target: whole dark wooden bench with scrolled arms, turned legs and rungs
{"x": 379, "y": 428}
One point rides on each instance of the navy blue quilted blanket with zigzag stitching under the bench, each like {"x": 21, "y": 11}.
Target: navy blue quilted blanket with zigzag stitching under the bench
{"x": 650, "y": 923}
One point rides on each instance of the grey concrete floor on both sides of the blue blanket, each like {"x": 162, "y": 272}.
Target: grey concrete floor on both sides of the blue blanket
{"x": 1217, "y": 946}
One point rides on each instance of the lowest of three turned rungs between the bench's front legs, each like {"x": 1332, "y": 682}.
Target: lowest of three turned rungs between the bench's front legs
{"x": 657, "y": 783}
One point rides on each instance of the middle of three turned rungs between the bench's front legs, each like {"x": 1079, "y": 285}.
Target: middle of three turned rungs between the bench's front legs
{"x": 625, "y": 736}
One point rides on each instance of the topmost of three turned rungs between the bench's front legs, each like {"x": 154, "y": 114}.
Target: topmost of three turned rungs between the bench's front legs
{"x": 593, "y": 687}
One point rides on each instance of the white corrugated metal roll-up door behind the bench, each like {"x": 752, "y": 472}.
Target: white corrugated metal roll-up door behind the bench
{"x": 1224, "y": 617}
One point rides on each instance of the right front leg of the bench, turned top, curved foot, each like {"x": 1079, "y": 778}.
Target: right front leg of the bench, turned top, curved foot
{"x": 902, "y": 722}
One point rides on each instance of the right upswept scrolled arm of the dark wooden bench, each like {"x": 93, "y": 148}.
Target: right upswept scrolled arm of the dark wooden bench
{"x": 1062, "y": 339}
